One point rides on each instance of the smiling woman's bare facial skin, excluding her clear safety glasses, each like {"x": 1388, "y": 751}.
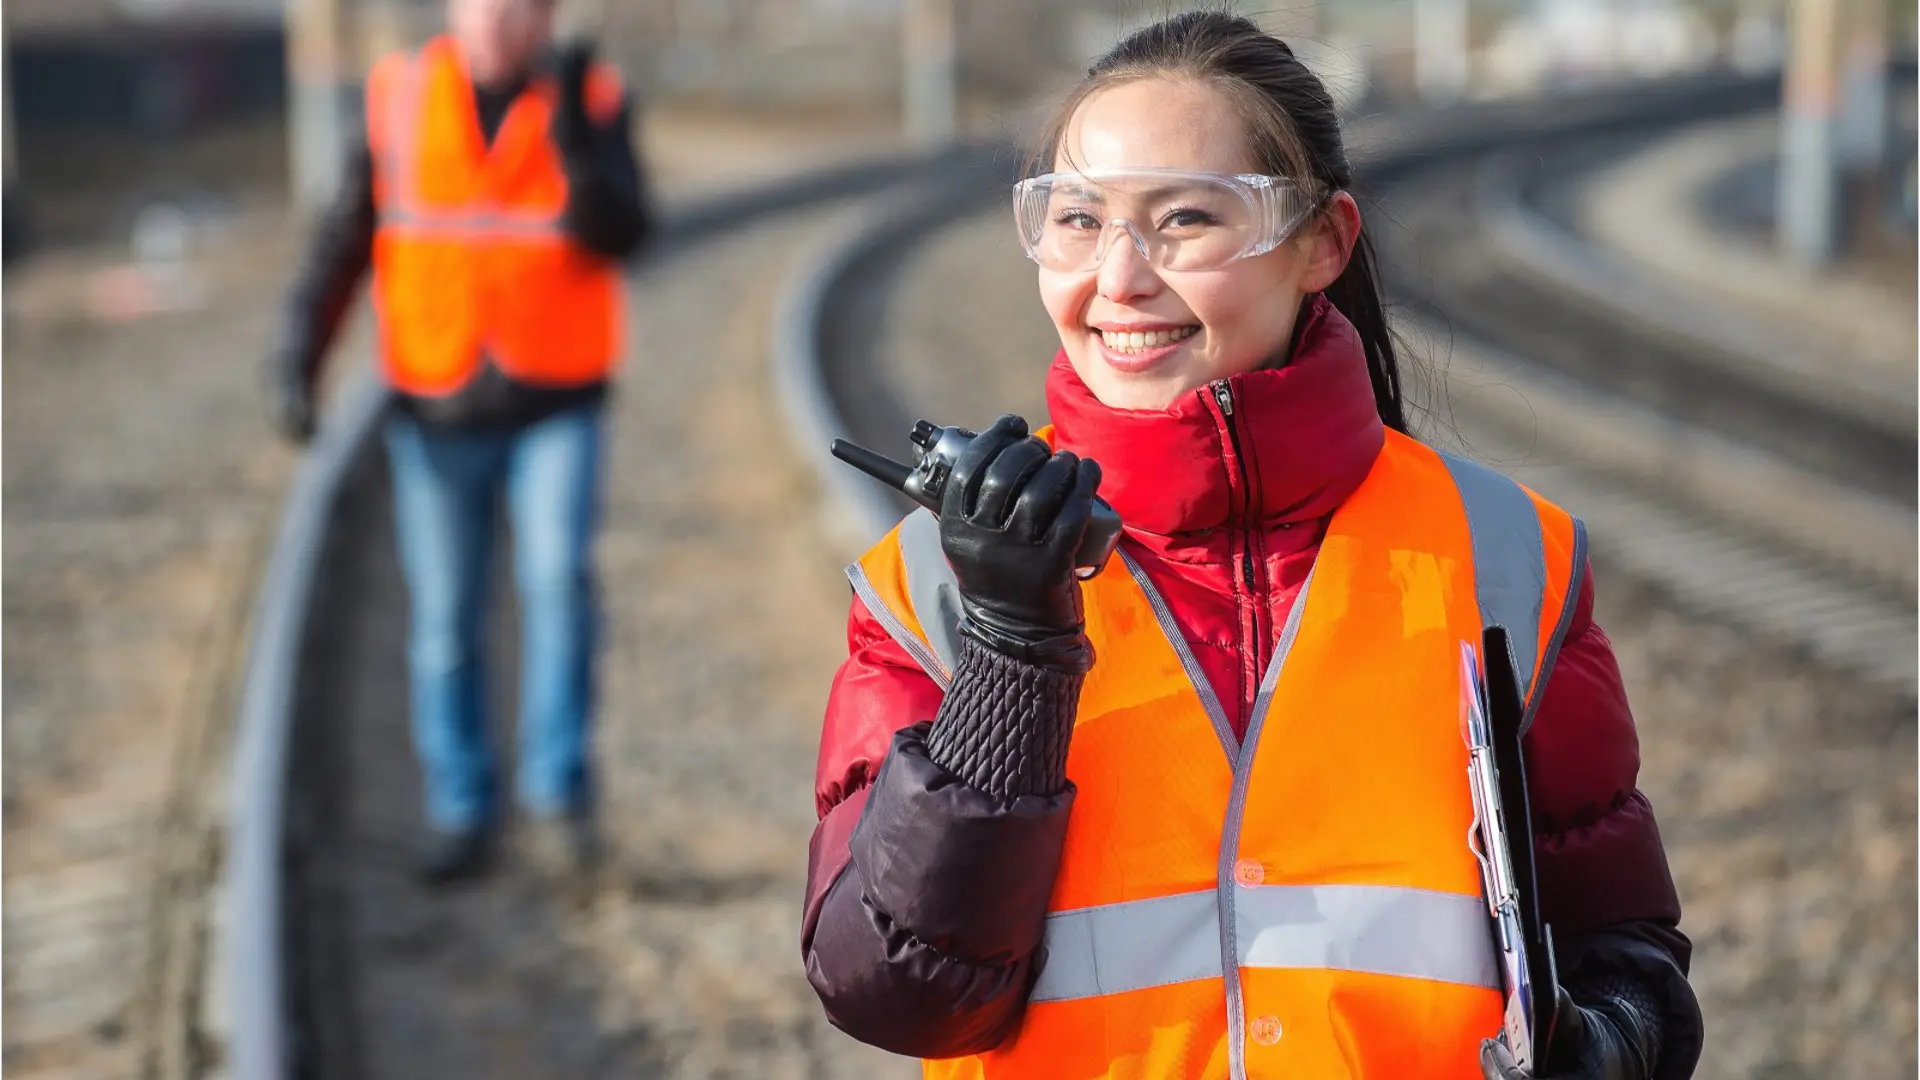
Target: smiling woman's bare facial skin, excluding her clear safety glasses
{"x": 1218, "y": 322}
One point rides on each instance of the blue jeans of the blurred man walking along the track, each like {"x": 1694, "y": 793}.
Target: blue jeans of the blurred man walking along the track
{"x": 446, "y": 495}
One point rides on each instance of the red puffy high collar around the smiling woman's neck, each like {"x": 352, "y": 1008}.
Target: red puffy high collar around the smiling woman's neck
{"x": 1297, "y": 443}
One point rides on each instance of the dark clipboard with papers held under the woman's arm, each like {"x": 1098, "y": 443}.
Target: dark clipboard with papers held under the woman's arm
{"x": 1504, "y": 847}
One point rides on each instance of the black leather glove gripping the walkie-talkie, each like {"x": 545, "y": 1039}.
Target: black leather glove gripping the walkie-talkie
{"x": 1011, "y": 524}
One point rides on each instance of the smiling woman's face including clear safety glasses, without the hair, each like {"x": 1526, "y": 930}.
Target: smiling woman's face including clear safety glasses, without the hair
{"x": 1166, "y": 164}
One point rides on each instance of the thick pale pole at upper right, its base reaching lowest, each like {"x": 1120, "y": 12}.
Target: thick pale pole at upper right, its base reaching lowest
{"x": 1810, "y": 166}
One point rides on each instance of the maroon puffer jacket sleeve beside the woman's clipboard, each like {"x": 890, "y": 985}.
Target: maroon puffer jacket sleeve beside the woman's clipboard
{"x": 1604, "y": 881}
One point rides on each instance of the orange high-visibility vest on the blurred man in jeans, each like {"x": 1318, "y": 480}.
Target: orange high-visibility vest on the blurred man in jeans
{"x": 469, "y": 253}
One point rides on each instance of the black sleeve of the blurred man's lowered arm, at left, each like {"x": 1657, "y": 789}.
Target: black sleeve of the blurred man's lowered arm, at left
{"x": 329, "y": 280}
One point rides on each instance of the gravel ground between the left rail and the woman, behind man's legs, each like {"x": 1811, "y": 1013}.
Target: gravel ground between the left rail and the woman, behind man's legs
{"x": 723, "y": 631}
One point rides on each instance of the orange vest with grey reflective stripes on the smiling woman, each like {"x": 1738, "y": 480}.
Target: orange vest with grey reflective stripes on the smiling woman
{"x": 1305, "y": 904}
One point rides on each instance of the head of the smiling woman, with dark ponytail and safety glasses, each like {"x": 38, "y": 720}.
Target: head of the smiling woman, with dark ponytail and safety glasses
{"x": 1232, "y": 116}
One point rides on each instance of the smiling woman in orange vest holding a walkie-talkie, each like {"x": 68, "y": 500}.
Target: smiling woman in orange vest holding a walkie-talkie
{"x": 1207, "y": 812}
